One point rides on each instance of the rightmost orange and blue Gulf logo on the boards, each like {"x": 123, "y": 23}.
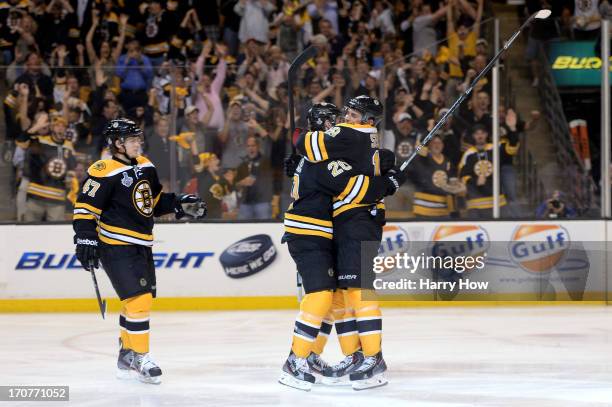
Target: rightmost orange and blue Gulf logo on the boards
{"x": 538, "y": 248}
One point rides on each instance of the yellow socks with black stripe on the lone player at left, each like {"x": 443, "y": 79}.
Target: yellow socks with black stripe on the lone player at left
{"x": 134, "y": 322}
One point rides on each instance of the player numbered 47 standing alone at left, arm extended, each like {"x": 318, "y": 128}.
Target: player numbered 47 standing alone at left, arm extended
{"x": 113, "y": 222}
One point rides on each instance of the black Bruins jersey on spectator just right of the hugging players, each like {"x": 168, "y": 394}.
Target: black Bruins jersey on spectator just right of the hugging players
{"x": 429, "y": 176}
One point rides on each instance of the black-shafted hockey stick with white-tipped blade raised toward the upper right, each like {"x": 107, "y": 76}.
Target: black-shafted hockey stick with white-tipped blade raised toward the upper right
{"x": 540, "y": 15}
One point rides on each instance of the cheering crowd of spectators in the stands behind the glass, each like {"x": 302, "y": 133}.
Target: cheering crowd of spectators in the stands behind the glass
{"x": 207, "y": 81}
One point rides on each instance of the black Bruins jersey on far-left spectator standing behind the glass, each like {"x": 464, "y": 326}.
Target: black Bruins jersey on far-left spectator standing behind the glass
{"x": 46, "y": 165}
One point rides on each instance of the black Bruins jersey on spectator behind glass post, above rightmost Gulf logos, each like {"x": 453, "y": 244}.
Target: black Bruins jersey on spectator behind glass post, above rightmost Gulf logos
{"x": 477, "y": 162}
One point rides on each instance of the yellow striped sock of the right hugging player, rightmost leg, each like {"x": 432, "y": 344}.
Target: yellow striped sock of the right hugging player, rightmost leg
{"x": 369, "y": 321}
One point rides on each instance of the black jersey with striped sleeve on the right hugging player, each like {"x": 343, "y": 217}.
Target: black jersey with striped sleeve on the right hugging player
{"x": 357, "y": 145}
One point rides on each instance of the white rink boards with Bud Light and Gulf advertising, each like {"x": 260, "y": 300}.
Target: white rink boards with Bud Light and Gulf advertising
{"x": 38, "y": 271}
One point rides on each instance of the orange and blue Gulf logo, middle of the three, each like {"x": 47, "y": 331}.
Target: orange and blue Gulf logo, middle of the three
{"x": 459, "y": 240}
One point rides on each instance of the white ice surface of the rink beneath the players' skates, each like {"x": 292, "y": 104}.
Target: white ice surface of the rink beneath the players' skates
{"x": 539, "y": 356}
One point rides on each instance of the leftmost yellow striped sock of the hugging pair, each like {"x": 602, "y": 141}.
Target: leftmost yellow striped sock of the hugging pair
{"x": 314, "y": 307}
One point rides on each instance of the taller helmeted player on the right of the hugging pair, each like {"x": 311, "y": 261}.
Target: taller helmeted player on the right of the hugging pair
{"x": 355, "y": 223}
